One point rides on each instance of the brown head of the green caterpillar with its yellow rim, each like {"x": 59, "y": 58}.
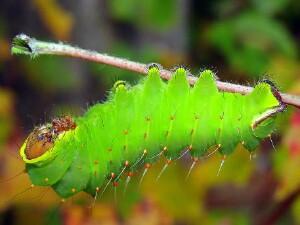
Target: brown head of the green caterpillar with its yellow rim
{"x": 40, "y": 141}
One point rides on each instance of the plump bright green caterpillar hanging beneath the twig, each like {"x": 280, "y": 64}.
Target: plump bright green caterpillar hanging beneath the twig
{"x": 138, "y": 124}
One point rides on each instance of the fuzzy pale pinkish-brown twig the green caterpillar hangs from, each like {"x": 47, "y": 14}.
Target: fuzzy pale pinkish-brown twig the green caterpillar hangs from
{"x": 23, "y": 44}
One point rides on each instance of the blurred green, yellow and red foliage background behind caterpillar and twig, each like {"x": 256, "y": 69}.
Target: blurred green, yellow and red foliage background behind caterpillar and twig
{"x": 243, "y": 41}
